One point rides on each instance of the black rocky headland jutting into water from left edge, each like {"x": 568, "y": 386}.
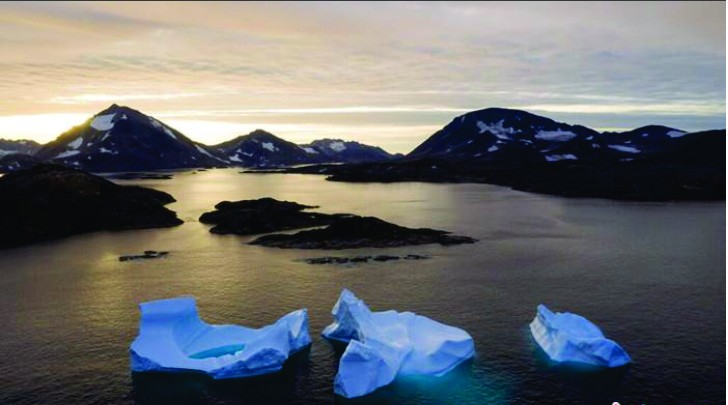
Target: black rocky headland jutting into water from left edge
{"x": 52, "y": 201}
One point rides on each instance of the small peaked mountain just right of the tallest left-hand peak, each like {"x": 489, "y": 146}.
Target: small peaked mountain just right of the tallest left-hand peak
{"x": 261, "y": 149}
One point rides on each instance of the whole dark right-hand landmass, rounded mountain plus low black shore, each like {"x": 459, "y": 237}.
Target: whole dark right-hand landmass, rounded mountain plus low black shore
{"x": 533, "y": 153}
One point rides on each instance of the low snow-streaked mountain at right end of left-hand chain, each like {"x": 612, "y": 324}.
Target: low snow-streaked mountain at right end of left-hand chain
{"x": 338, "y": 151}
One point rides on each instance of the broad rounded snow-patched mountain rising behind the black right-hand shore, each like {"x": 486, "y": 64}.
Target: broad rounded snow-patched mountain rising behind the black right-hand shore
{"x": 498, "y": 136}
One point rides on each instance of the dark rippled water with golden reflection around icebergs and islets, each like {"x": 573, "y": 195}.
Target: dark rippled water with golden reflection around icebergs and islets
{"x": 652, "y": 276}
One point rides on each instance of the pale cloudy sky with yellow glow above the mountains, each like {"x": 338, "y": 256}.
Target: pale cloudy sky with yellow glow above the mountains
{"x": 388, "y": 74}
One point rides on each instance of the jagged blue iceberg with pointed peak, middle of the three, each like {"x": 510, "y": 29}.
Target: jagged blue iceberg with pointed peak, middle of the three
{"x": 384, "y": 345}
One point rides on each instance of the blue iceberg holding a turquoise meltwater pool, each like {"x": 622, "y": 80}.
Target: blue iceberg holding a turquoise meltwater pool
{"x": 173, "y": 338}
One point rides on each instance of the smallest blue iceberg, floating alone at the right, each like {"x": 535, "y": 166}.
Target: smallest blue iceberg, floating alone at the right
{"x": 570, "y": 338}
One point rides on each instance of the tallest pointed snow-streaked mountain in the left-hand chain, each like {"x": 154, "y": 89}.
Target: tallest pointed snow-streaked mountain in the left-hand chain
{"x": 123, "y": 139}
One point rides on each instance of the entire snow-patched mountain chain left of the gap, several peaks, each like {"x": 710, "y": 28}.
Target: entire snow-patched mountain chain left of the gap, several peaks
{"x": 120, "y": 139}
